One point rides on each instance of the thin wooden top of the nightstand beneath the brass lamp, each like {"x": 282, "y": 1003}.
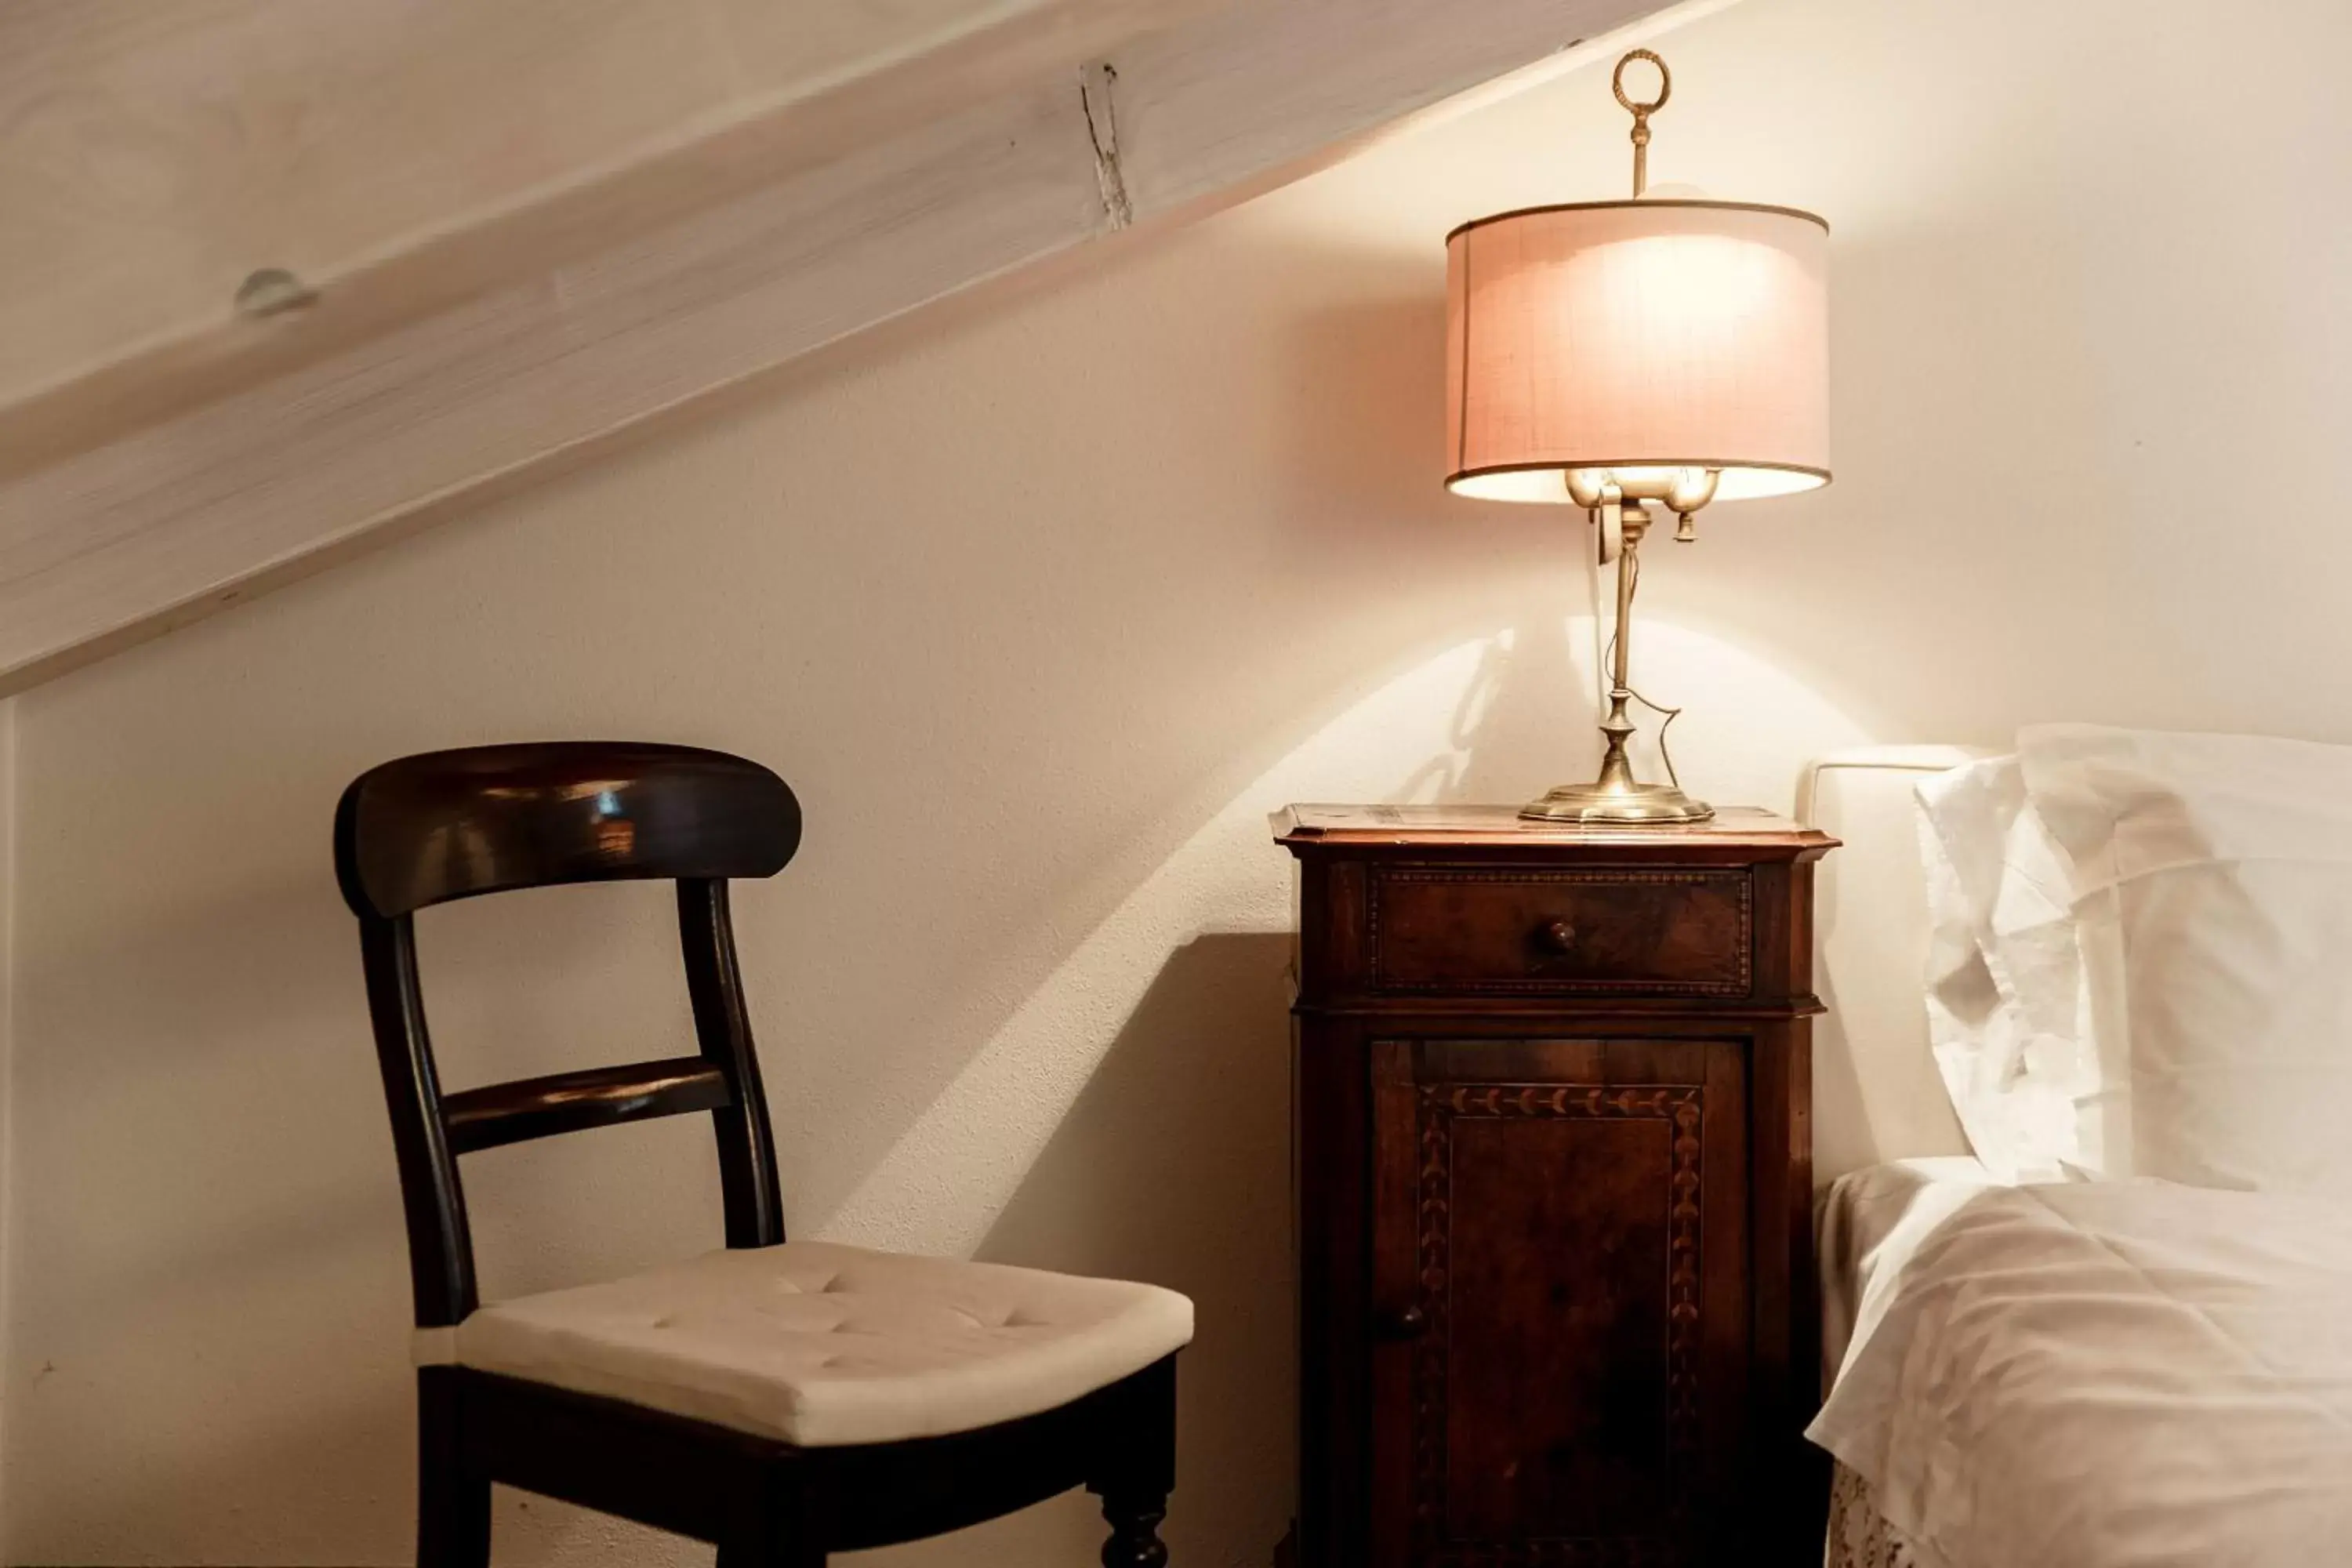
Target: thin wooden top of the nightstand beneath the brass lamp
{"x": 1732, "y": 829}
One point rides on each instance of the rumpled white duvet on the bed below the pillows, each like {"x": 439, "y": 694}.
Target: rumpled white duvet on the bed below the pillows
{"x": 2109, "y": 1374}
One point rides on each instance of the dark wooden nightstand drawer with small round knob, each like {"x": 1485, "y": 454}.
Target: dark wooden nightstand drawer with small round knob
{"x": 1671, "y": 932}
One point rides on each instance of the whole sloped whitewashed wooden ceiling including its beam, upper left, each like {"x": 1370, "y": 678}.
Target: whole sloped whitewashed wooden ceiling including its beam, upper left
{"x": 516, "y": 229}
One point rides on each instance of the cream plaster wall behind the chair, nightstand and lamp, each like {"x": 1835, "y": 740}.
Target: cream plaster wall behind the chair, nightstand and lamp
{"x": 1041, "y": 605}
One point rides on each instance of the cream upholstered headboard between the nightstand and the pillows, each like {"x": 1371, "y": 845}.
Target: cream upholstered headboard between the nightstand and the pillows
{"x": 1876, "y": 1090}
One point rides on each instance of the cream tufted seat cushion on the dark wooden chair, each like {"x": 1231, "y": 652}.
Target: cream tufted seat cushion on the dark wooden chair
{"x": 829, "y": 1346}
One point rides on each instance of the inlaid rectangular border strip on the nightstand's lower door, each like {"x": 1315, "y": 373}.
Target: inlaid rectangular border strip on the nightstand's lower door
{"x": 1441, "y": 1108}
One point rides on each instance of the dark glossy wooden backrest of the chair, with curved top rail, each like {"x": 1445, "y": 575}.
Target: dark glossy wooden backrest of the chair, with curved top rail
{"x": 493, "y": 819}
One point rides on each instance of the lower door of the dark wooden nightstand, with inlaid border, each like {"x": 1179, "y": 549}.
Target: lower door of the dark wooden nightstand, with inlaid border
{"x": 1561, "y": 1249}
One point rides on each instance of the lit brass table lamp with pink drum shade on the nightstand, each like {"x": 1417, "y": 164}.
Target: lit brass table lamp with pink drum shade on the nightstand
{"x": 1619, "y": 356}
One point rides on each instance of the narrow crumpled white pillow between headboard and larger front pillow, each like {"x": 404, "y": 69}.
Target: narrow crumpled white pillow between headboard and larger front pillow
{"x": 2010, "y": 1017}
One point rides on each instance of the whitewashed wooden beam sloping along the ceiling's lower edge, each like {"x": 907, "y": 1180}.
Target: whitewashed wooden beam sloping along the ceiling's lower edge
{"x": 128, "y": 511}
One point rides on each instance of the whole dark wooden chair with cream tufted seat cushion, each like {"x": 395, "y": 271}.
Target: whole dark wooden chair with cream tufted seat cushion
{"x": 777, "y": 1400}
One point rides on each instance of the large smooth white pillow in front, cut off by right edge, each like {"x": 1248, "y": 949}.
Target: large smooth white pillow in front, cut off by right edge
{"x": 2214, "y": 923}
